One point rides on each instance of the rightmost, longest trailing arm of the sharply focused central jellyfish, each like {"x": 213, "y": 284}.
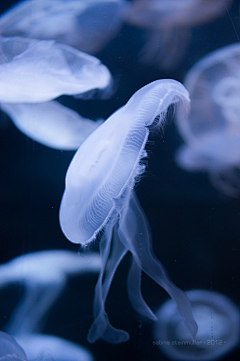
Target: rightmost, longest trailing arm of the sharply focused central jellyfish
{"x": 138, "y": 241}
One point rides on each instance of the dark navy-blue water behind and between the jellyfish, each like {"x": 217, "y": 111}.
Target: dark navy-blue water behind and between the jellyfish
{"x": 196, "y": 228}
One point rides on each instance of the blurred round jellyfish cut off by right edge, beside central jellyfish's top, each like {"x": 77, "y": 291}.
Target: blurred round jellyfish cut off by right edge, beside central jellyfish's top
{"x": 212, "y": 129}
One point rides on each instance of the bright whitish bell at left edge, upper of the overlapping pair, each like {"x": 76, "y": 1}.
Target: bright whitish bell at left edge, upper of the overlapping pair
{"x": 33, "y": 71}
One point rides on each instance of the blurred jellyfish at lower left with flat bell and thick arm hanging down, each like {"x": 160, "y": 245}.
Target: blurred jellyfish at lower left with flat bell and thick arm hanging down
{"x": 44, "y": 275}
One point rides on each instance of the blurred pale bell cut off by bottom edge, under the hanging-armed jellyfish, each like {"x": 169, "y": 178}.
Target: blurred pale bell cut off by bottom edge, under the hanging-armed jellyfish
{"x": 47, "y": 347}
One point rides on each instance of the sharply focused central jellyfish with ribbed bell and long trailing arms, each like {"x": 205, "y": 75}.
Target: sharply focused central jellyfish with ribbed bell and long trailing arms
{"x": 99, "y": 198}
